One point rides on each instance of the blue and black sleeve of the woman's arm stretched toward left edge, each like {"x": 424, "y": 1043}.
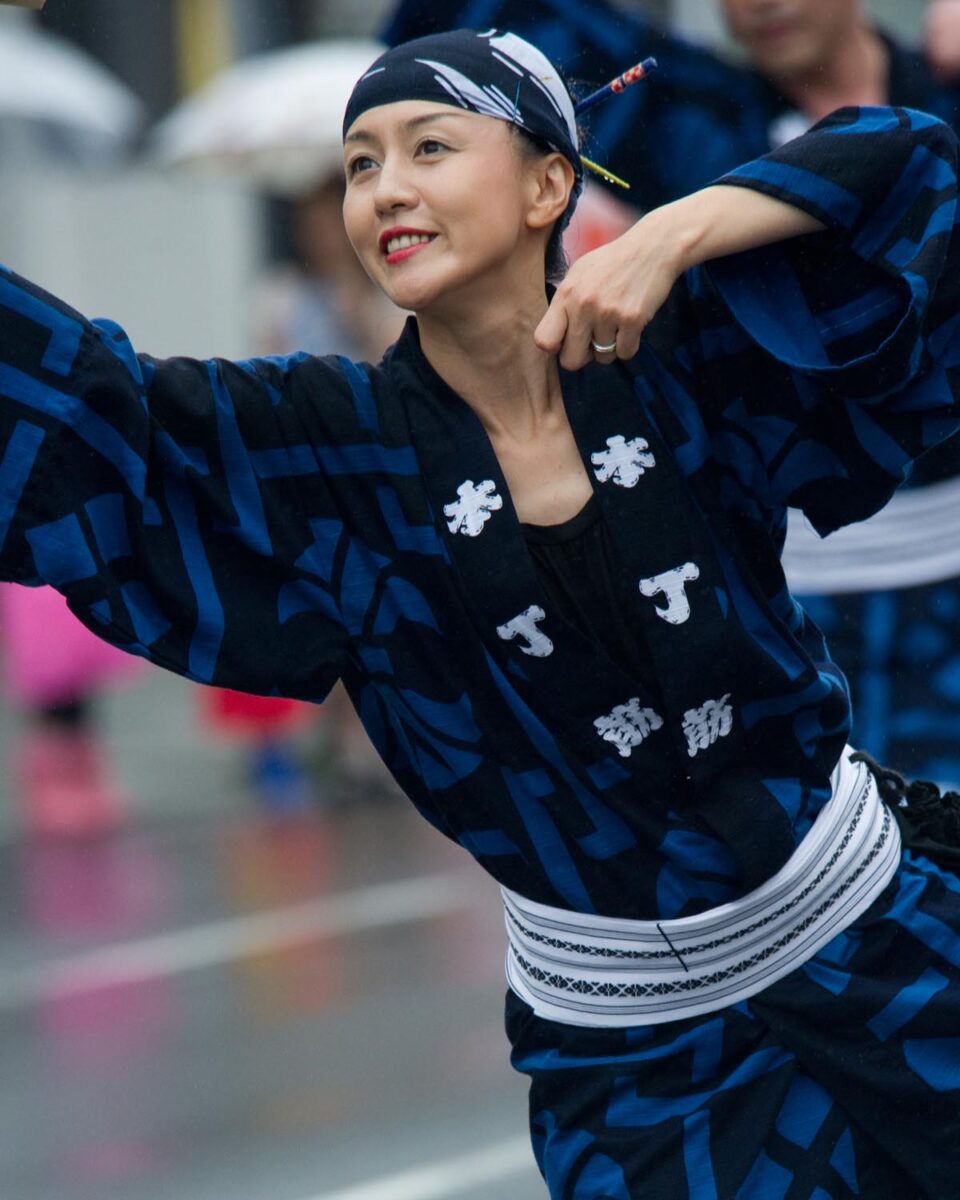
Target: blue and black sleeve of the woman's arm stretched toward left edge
{"x": 175, "y": 503}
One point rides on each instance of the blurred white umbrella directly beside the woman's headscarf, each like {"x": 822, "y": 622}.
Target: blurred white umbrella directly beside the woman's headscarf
{"x": 274, "y": 118}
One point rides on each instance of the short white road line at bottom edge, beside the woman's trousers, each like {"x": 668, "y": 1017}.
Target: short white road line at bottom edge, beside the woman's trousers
{"x": 448, "y": 1178}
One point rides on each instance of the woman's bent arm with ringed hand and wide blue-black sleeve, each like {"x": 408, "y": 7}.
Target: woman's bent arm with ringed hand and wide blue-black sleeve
{"x": 841, "y": 350}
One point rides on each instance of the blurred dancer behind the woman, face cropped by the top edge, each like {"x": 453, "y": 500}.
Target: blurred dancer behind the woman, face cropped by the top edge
{"x": 887, "y": 595}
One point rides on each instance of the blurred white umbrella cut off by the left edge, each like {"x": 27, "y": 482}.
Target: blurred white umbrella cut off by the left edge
{"x": 58, "y": 101}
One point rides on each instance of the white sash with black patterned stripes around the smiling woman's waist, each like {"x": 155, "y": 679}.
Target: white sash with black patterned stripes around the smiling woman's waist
{"x": 607, "y": 973}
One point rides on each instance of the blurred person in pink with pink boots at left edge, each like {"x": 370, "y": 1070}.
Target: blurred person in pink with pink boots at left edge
{"x": 53, "y": 670}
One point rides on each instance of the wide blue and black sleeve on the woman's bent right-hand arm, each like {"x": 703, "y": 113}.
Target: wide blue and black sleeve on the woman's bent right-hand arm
{"x": 842, "y": 363}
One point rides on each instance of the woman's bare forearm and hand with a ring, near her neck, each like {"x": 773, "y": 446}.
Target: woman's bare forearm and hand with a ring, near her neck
{"x": 611, "y": 295}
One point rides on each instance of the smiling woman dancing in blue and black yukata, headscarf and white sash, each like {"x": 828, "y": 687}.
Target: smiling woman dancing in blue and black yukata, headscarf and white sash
{"x": 539, "y": 544}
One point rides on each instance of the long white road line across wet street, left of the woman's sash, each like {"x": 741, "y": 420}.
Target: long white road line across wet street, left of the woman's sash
{"x": 224, "y": 941}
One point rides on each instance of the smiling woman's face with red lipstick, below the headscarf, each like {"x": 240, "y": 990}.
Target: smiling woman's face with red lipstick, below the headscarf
{"x": 437, "y": 202}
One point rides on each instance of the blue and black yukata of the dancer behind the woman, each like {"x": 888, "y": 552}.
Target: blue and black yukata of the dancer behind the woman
{"x": 700, "y": 117}
